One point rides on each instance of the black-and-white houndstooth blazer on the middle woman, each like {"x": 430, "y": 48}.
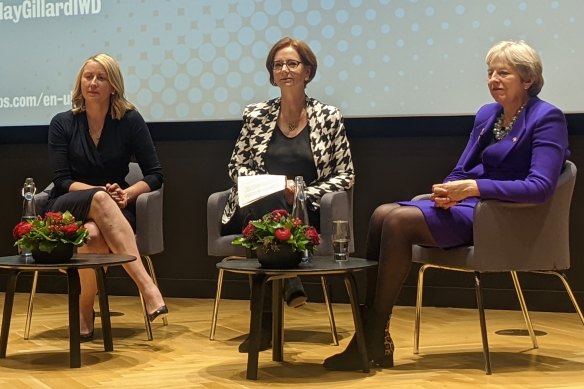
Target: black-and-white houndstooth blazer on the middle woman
{"x": 328, "y": 140}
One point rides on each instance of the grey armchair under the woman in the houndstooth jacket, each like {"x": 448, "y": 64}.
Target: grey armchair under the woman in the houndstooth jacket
{"x": 333, "y": 206}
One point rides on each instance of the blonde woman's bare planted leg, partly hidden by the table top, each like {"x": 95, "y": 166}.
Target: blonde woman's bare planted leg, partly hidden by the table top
{"x": 96, "y": 244}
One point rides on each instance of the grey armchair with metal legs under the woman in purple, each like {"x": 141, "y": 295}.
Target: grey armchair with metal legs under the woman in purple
{"x": 509, "y": 237}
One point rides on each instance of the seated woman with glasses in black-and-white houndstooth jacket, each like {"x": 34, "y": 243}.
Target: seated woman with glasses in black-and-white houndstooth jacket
{"x": 292, "y": 135}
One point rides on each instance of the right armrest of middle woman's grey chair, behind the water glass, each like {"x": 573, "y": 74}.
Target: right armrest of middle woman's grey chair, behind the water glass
{"x": 335, "y": 206}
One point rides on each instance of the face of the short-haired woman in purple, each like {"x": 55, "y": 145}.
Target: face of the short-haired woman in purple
{"x": 505, "y": 83}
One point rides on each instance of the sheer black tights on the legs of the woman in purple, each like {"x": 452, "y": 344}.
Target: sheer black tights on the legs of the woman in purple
{"x": 392, "y": 231}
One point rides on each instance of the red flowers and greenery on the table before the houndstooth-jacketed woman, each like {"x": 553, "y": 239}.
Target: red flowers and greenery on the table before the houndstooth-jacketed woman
{"x": 275, "y": 228}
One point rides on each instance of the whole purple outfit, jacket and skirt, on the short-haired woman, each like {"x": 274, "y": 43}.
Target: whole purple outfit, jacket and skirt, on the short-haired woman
{"x": 522, "y": 167}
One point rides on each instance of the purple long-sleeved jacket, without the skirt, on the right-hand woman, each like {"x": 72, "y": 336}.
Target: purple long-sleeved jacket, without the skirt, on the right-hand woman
{"x": 525, "y": 165}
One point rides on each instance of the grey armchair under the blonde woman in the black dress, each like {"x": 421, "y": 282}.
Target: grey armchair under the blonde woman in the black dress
{"x": 149, "y": 236}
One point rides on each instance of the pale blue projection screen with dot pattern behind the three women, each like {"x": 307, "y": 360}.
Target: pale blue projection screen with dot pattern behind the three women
{"x": 205, "y": 60}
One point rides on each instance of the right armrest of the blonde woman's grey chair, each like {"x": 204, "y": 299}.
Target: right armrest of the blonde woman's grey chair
{"x": 149, "y": 232}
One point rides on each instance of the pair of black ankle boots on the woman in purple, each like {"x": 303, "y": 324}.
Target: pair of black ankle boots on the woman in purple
{"x": 351, "y": 359}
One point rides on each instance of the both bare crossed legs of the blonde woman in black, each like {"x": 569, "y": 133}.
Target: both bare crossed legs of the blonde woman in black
{"x": 110, "y": 232}
